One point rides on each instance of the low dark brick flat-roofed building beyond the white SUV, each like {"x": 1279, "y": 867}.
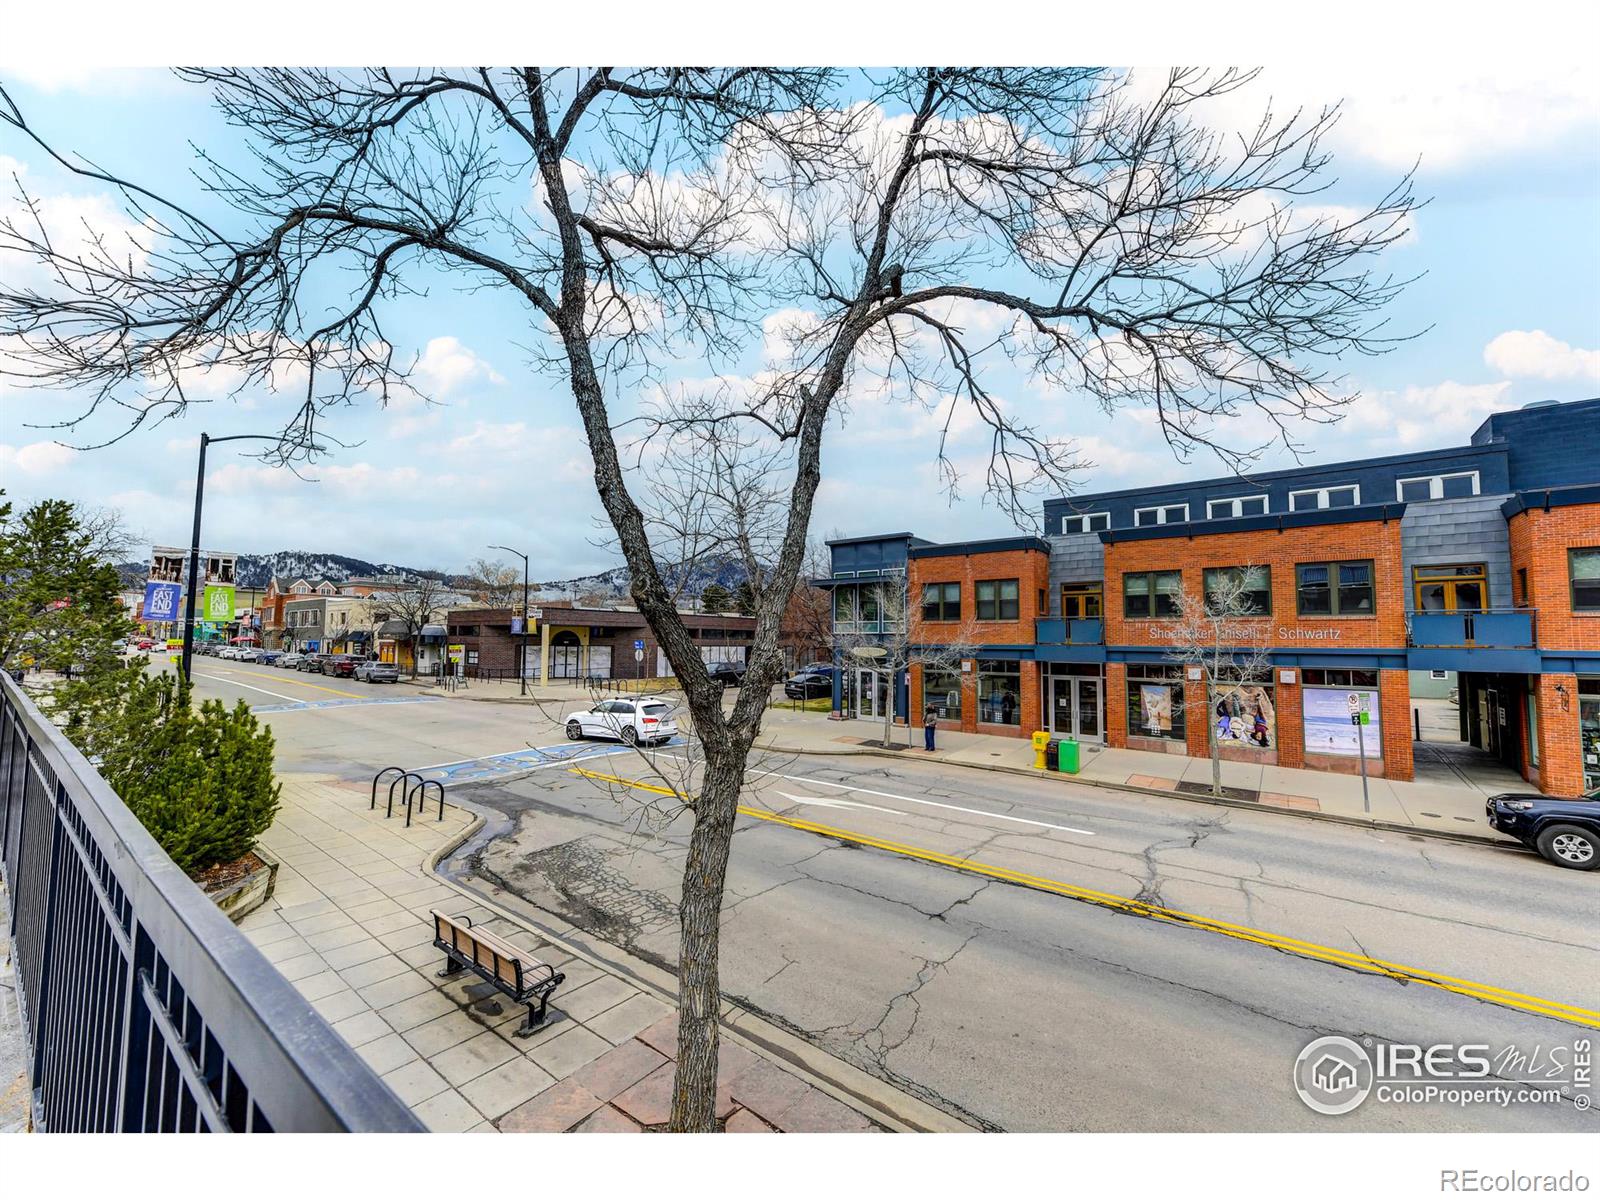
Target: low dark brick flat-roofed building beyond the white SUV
{"x": 580, "y": 642}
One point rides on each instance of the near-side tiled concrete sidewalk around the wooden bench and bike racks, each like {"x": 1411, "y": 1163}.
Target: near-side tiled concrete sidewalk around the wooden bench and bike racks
{"x": 350, "y": 927}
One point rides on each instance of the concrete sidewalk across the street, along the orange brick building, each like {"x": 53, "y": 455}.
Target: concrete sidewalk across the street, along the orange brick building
{"x": 1454, "y": 809}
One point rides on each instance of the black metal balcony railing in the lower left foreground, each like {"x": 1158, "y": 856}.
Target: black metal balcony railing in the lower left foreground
{"x": 145, "y": 1009}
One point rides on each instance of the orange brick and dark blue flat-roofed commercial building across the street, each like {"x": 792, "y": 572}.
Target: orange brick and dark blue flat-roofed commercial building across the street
{"x": 1478, "y": 564}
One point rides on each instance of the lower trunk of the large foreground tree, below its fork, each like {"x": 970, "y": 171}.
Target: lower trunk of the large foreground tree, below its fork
{"x": 700, "y": 921}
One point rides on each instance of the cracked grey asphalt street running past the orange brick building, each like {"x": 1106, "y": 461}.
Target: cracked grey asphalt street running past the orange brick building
{"x": 1017, "y": 1007}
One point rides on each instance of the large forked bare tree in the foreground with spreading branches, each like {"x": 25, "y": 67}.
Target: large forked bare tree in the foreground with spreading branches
{"x": 903, "y": 231}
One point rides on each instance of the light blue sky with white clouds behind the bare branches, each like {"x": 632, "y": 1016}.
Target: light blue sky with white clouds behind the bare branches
{"x": 1510, "y": 254}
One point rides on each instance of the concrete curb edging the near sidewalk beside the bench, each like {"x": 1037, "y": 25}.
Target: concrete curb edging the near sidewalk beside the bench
{"x": 868, "y": 1095}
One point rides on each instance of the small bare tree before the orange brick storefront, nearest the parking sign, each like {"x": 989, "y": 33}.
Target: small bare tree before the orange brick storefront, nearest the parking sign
{"x": 1226, "y": 634}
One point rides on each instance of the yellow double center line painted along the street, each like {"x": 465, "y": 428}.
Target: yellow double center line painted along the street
{"x": 1106, "y": 900}
